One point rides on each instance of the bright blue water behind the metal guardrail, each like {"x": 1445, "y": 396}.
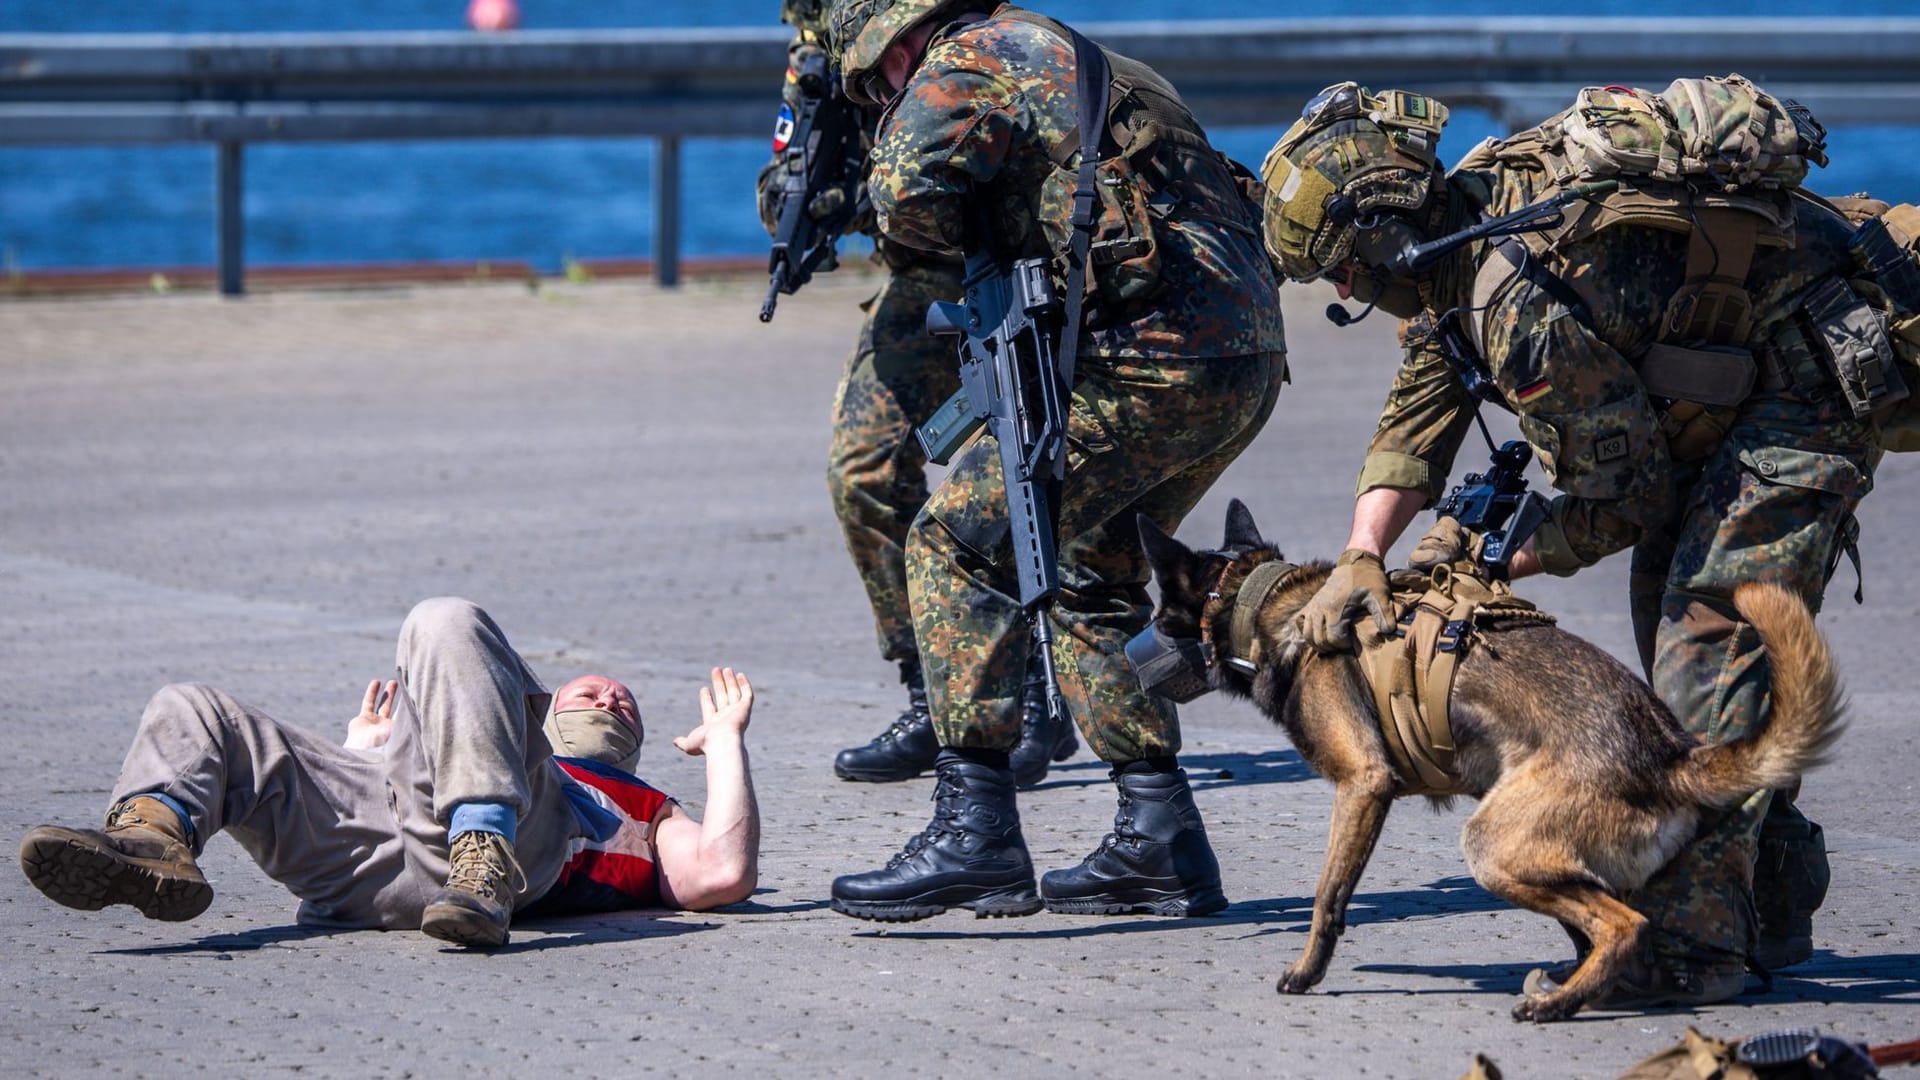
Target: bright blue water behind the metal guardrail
{"x": 571, "y": 199}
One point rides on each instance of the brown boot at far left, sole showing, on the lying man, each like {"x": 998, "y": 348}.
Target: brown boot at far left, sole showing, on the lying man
{"x": 143, "y": 860}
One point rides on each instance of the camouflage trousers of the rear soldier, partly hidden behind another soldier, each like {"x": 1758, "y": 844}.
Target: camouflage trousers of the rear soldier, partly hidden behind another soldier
{"x": 894, "y": 381}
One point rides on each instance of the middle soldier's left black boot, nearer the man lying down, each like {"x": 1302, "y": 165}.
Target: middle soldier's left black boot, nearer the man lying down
{"x": 971, "y": 856}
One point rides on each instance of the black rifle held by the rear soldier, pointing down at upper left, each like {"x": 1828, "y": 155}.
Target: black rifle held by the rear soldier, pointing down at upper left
{"x": 823, "y": 149}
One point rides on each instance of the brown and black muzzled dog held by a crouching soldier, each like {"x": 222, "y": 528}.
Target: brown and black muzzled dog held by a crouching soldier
{"x": 1587, "y": 781}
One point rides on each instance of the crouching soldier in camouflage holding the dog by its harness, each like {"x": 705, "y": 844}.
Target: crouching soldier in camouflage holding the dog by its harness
{"x": 1706, "y": 501}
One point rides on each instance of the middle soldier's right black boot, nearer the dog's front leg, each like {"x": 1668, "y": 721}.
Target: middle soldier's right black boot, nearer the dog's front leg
{"x": 1157, "y": 860}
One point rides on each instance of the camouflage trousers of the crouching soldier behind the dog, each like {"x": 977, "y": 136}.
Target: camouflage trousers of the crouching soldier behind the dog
{"x": 1773, "y": 503}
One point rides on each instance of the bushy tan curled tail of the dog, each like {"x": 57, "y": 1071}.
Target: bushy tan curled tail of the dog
{"x": 1806, "y": 706}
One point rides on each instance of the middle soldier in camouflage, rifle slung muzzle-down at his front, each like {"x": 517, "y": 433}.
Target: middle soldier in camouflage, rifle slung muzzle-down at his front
{"x": 1180, "y": 362}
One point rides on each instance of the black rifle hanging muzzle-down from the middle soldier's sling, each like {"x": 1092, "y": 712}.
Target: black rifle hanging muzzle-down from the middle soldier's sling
{"x": 1013, "y": 383}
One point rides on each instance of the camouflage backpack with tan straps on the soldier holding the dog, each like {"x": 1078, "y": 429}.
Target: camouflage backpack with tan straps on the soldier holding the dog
{"x": 1721, "y": 162}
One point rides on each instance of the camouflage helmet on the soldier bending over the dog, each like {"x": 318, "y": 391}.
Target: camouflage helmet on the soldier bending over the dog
{"x": 1349, "y": 160}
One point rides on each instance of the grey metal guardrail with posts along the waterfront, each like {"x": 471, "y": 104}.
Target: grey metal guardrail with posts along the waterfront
{"x": 673, "y": 86}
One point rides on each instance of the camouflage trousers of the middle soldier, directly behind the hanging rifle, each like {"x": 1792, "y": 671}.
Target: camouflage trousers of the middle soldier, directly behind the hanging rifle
{"x": 1145, "y": 437}
